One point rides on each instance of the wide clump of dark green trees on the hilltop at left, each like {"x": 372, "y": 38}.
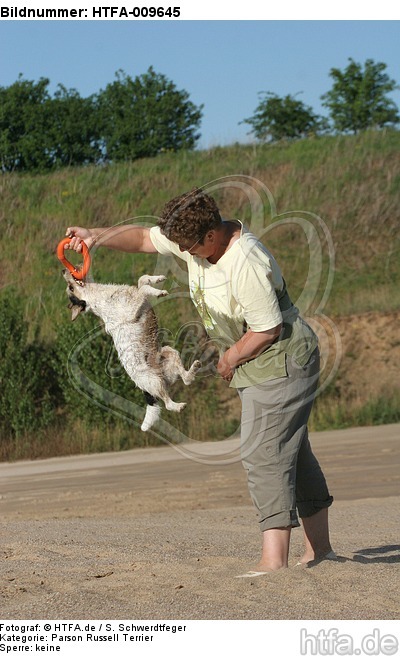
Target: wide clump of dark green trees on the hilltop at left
{"x": 131, "y": 118}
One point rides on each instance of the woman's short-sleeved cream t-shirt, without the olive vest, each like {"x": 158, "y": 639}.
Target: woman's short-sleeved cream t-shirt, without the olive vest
{"x": 237, "y": 290}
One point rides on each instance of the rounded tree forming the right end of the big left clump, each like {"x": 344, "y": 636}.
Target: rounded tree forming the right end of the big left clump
{"x": 144, "y": 116}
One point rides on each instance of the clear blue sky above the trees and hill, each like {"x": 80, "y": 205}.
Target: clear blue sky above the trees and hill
{"x": 222, "y": 64}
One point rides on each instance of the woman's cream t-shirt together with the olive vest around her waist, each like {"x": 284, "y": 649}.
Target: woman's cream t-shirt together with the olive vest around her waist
{"x": 241, "y": 290}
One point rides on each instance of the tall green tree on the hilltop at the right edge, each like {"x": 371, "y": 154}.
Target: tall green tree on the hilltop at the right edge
{"x": 358, "y": 99}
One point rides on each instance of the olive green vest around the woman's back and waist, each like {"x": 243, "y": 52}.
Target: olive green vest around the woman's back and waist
{"x": 297, "y": 339}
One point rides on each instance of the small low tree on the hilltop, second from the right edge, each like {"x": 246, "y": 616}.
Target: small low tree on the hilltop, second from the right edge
{"x": 283, "y": 118}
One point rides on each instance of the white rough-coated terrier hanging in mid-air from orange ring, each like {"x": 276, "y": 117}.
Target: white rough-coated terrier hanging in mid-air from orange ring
{"x": 130, "y": 320}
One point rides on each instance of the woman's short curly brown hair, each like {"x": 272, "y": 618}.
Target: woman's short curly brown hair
{"x": 189, "y": 217}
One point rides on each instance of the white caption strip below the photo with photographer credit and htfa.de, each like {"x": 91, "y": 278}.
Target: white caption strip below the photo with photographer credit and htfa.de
{"x": 76, "y": 637}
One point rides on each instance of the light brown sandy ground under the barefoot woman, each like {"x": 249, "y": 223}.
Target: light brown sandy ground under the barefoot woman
{"x": 152, "y": 534}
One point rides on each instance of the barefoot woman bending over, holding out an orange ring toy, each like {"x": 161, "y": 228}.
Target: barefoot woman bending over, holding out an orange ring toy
{"x": 267, "y": 352}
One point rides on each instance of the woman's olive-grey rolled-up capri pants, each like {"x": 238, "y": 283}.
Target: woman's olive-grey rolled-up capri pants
{"x": 282, "y": 472}
